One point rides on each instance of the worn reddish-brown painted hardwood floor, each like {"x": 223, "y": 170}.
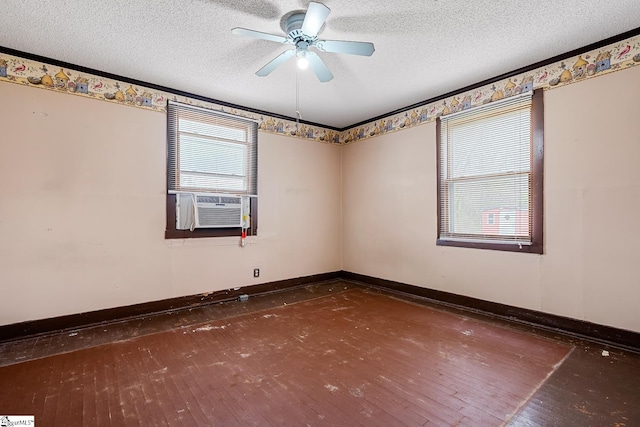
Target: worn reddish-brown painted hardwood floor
{"x": 328, "y": 354}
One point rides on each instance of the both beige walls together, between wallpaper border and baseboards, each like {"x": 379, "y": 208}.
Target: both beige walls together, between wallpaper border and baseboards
{"x": 82, "y": 211}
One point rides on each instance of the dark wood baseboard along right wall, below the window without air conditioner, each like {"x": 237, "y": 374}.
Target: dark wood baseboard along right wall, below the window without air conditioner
{"x": 607, "y": 335}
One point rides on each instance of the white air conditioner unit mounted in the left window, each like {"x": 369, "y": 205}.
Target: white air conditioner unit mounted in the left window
{"x": 203, "y": 210}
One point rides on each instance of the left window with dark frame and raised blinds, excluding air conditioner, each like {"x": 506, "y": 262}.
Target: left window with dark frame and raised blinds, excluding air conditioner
{"x": 210, "y": 152}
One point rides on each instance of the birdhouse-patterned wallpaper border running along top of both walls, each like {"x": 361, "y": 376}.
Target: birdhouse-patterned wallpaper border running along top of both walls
{"x": 614, "y": 57}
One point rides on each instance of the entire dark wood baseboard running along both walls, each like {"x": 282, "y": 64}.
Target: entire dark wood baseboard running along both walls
{"x": 573, "y": 327}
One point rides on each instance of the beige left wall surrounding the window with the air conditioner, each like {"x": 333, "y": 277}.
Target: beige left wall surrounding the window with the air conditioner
{"x": 82, "y": 211}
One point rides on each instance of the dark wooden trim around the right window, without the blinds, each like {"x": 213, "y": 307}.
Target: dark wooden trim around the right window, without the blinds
{"x": 537, "y": 153}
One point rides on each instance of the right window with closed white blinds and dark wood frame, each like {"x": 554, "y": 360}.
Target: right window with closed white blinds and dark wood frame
{"x": 490, "y": 161}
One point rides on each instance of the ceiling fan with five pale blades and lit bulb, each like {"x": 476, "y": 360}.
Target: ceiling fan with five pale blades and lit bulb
{"x": 302, "y": 30}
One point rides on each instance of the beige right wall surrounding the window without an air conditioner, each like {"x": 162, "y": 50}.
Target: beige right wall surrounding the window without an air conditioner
{"x": 590, "y": 268}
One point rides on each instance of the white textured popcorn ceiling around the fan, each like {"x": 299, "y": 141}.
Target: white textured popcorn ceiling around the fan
{"x": 423, "y": 48}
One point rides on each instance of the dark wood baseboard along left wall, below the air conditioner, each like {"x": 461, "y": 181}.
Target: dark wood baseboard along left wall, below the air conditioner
{"x": 81, "y": 320}
